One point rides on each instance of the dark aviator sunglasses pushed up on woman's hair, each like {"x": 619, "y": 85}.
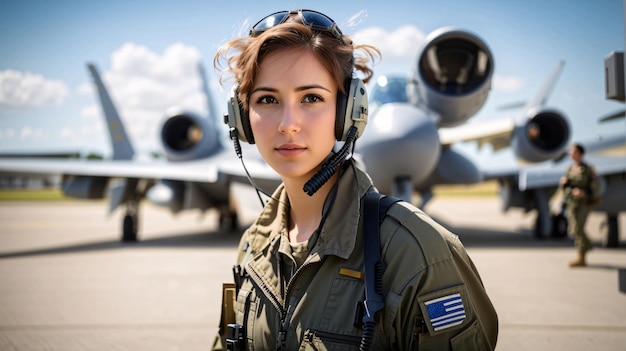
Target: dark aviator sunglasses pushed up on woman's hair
{"x": 316, "y": 20}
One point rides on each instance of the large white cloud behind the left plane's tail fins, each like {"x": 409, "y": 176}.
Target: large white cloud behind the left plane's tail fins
{"x": 144, "y": 85}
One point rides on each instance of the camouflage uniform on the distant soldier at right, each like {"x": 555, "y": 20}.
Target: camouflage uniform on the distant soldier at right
{"x": 579, "y": 208}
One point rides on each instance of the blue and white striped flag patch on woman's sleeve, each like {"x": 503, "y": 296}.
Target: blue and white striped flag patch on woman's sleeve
{"x": 445, "y": 312}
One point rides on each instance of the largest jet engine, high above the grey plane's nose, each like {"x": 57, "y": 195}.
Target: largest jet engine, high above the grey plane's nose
{"x": 453, "y": 76}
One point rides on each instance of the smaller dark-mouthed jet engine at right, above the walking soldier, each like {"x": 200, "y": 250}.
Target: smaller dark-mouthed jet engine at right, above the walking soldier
{"x": 543, "y": 136}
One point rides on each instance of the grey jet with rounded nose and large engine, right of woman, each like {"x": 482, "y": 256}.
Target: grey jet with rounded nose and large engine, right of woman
{"x": 414, "y": 121}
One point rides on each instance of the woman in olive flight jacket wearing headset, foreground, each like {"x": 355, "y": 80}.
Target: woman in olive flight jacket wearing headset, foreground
{"x": 299, "y": 273}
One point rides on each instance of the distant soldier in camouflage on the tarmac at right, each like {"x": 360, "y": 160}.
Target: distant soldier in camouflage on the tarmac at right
{"x": 579, "y": 184}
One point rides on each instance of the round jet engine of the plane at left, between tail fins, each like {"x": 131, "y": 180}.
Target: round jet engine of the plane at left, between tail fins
{"x": 186, "y": 136}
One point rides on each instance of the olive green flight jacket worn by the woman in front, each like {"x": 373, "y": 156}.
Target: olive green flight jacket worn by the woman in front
{"x": 314, "y": 306}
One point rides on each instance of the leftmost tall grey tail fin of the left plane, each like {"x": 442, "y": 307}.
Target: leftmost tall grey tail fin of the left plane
{"x": 122, "y": 148}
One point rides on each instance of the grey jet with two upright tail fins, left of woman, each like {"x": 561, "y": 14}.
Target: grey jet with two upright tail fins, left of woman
{"x": 196, "y": 174}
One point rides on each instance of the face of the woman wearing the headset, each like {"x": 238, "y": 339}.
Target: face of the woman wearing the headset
{"x": 292, "y": 112}
